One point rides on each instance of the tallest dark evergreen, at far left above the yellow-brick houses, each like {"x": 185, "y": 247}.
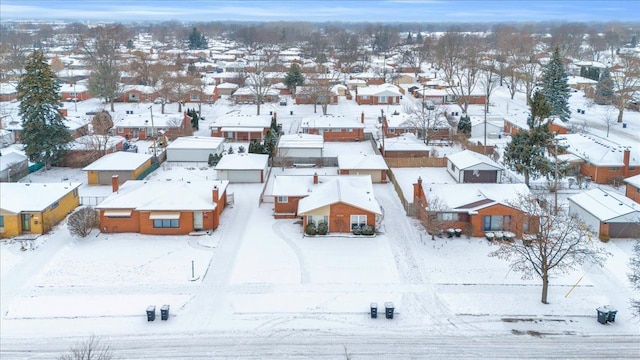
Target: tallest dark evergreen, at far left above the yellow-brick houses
{"x": 45, "y": 137}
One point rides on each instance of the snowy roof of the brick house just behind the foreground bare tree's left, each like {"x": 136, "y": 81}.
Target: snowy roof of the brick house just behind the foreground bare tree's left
{"x": 472, "y": 197}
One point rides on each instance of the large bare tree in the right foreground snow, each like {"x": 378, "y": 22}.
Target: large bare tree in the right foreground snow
{"x": 560, "y": 242}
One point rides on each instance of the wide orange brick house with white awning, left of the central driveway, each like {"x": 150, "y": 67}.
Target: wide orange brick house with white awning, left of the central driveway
{"x": 163, "y": 207}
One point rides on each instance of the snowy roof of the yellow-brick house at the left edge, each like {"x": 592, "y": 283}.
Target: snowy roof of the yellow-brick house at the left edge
{"x": 19, "y": 197}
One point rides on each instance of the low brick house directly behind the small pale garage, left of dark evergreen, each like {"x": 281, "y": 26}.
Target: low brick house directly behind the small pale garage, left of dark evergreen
{"x": 237, "y": 128}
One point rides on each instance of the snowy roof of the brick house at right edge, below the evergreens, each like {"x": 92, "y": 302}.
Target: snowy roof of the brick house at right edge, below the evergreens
{"x": 599, "y": 151}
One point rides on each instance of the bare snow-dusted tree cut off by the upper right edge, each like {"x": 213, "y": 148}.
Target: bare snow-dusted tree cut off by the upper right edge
{"x": 626, "y": 82}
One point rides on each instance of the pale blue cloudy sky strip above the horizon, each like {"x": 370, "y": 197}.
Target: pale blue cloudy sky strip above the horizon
{"x": 328, "y": 10}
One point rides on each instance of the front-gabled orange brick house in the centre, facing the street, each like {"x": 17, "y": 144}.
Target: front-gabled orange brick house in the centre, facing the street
{"x": 343, "y": 203}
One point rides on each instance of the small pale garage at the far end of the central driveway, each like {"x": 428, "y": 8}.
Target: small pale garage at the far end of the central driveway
{"x": 243, "y": 168}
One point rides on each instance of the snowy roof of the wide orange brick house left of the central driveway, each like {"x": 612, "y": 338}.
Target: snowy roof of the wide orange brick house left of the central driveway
{"x": 158, "y": 195}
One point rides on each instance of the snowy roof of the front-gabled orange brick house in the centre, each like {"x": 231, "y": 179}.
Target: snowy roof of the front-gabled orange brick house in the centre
{"x": 356, "y": 191}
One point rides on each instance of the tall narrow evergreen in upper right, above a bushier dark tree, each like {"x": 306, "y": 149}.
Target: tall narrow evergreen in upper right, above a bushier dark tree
{"x": 556, "y": 89}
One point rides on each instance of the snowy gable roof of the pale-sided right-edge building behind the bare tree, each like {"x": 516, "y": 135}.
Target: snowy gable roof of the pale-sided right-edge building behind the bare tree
{"x": 607, "y": 205}
